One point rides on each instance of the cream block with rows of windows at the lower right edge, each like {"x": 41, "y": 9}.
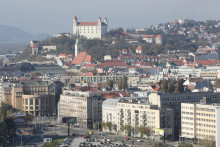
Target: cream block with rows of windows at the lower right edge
{"x": 198, "y": 121}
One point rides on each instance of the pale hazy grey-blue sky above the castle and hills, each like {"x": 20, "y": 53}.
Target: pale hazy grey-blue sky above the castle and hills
{"x": 54, "y": 16}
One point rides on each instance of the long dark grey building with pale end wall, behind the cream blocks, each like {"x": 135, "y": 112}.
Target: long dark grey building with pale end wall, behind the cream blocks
{"x": 173, "y": 101}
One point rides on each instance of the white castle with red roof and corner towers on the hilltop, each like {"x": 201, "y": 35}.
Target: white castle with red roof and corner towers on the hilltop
{"x": 90, "y": 30}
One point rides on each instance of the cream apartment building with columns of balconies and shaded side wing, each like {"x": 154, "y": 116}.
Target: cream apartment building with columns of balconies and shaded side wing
{"x": 136, "y": 113}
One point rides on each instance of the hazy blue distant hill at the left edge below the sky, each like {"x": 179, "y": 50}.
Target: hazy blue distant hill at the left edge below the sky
{"x": 9, "y": 34}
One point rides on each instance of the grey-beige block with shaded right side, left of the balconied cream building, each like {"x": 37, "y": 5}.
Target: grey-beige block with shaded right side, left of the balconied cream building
{"x": 85, "y": 106}
